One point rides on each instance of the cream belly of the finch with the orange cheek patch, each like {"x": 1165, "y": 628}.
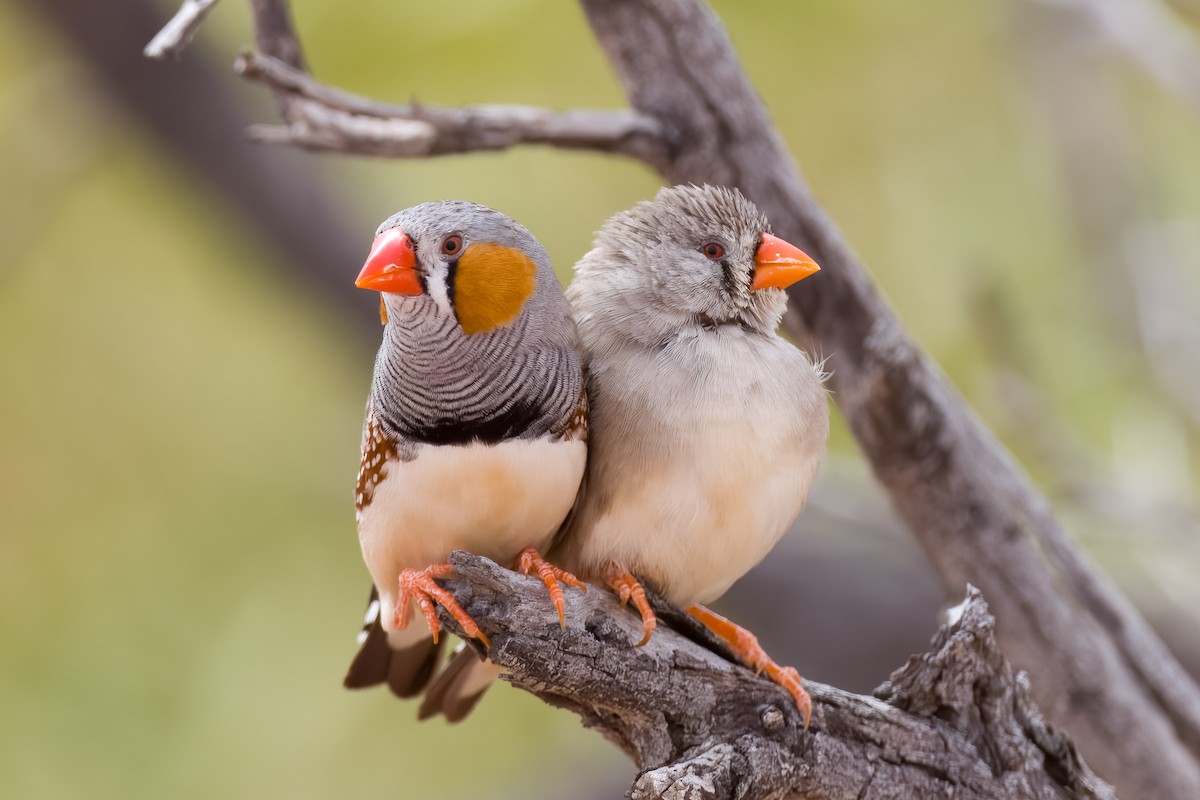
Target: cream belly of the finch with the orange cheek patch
{"x": 493, "y": 501}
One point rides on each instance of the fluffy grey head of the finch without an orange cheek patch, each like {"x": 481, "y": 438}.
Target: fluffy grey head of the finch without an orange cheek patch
{"x": 686, "y": 260}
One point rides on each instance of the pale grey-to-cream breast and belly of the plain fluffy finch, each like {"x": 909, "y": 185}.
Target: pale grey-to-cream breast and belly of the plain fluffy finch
{"x": 719, "y": 437}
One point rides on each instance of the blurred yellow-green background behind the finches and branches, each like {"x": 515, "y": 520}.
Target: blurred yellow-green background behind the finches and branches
{"x": 181, "y": 402}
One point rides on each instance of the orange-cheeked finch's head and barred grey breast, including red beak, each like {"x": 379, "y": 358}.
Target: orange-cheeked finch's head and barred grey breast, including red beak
{"x": 479, "y": 344}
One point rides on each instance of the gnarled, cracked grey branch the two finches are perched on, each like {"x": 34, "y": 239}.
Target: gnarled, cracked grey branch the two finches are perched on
{"x": 953, "y": 723}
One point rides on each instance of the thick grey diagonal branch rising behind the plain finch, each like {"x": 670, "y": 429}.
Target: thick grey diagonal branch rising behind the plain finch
{"x": 1097, "y": 667}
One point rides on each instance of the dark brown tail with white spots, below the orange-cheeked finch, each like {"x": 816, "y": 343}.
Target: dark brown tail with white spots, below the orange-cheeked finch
{"x": 406, "y": 671}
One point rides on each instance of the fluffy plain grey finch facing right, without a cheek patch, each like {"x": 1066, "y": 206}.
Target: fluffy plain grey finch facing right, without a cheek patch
{"x": 706, "y": 428}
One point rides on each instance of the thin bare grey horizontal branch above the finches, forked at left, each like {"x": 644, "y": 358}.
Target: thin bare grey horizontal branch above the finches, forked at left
{"x": 326, "y": 119}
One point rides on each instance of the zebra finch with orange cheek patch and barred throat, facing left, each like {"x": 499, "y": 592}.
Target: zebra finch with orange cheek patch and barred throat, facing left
{"x": 476, "y": 428}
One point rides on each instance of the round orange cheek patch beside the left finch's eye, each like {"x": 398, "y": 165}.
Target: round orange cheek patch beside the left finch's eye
{"x": 491, "y": 286}
